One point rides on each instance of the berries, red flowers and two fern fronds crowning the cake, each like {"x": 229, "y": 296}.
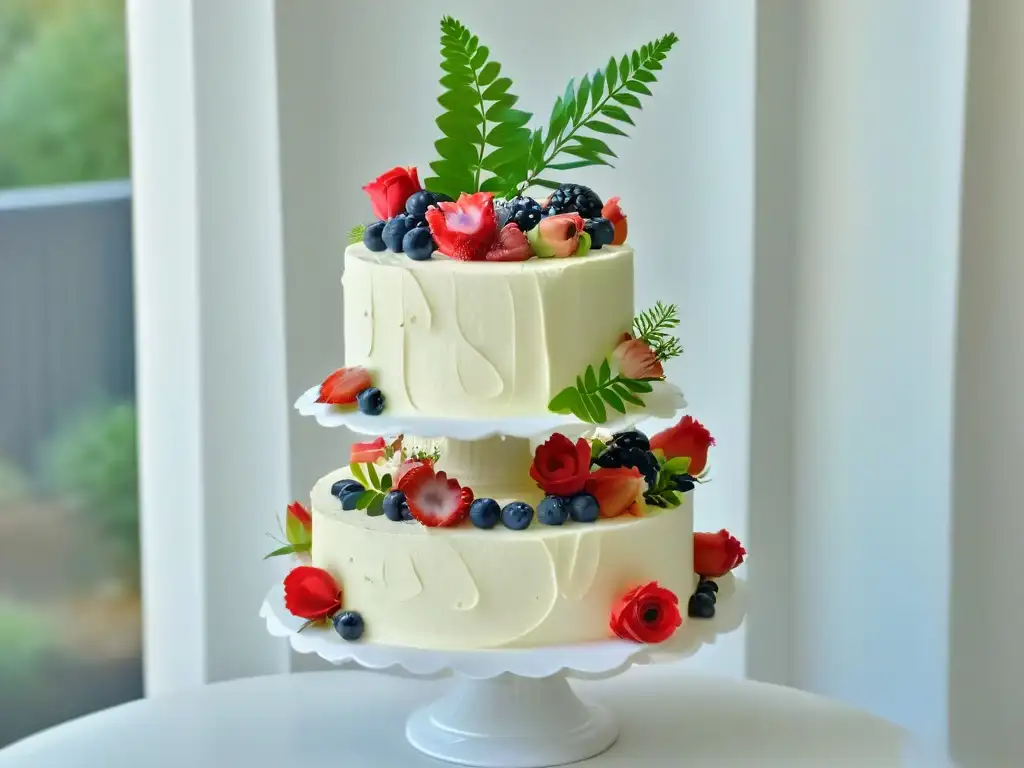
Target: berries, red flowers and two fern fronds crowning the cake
{"x": 476, "y": 206}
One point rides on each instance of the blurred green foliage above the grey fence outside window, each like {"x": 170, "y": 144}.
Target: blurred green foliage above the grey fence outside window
{"x": 64, "y": 97}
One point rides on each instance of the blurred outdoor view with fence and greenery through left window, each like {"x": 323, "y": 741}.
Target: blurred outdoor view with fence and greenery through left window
{"x": 70, "y": 614}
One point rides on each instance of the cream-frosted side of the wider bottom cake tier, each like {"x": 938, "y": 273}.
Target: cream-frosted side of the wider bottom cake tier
{"x": 465, "y": 588}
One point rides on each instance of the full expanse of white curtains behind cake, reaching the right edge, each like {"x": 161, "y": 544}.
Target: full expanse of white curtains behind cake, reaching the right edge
{"x": 828, "y": 188}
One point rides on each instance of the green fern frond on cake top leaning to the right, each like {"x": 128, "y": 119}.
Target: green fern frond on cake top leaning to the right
{"x": 596, "y": 108}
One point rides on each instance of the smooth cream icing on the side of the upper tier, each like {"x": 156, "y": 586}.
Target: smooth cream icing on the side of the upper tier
{"x": 483, "y": 339}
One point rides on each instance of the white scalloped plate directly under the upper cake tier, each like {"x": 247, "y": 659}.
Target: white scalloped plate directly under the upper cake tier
{"x": 664, "y": 403}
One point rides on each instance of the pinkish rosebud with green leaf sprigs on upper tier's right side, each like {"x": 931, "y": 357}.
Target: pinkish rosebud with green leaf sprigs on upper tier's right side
{"x": 624, "y": 378}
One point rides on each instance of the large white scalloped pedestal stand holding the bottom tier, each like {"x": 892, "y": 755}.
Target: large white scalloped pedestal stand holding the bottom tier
{"x": 511, "y": 708}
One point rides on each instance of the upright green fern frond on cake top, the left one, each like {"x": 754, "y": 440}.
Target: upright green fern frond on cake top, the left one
{"x": 483, "y": 132}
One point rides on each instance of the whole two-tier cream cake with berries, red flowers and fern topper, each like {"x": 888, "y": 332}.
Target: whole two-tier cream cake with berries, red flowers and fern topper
{"x": 471, "y": 302}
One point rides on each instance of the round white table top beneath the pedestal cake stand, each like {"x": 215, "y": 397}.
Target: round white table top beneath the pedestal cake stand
{"x": 354, "y": 719}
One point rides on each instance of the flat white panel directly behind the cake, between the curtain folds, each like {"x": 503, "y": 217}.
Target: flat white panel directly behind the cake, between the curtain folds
{"x": 354, "y": 105}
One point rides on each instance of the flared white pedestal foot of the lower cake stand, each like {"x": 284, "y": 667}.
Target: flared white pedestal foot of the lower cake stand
{"x": 511, "y": 722}
